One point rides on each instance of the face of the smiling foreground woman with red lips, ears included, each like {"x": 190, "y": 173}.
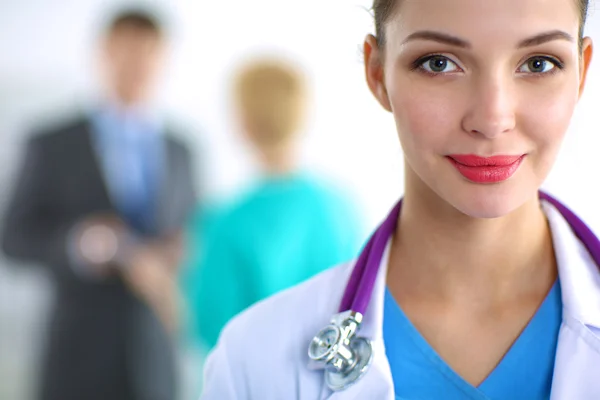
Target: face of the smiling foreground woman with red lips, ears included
{"x": 467, "y": 80}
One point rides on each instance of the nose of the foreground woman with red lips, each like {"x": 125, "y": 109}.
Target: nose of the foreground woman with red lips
{"x": 492, "y": 107}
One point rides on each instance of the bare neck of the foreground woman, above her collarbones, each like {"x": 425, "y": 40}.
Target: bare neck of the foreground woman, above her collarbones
{"x": 442, "y": 254}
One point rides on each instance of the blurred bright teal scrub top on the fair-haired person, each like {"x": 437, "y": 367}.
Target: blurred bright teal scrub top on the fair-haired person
{"x": 282, "y": 232}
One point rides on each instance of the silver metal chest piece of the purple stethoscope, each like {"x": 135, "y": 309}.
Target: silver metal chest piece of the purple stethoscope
{"x": 344, "y": 357}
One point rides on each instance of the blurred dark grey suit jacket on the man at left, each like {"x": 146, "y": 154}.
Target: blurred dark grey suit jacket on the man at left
{"x": 103, "y": 342}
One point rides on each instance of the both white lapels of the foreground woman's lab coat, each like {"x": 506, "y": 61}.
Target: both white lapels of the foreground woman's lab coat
{"x": 578, "y": 348}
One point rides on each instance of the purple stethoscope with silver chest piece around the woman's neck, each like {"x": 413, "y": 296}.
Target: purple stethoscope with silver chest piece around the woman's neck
{"x": 345, "y": 356}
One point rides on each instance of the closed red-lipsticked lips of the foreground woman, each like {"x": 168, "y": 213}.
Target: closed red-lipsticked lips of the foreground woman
{"x": 486, "y": 169}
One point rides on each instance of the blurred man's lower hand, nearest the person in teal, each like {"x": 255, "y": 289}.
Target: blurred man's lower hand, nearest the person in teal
{"x": 149, "y": 276}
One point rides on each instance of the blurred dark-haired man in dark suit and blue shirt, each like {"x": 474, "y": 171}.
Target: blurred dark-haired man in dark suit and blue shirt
{"x": 100, "y": 201}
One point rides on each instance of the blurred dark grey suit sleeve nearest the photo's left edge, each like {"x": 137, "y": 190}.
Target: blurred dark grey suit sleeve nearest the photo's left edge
{"x": 33, "y": 230}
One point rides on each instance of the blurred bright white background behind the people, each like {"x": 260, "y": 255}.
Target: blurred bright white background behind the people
{"x": 46, "y": 67}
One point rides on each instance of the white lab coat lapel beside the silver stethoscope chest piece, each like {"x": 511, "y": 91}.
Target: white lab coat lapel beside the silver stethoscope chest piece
{"x": 377, "y": 383}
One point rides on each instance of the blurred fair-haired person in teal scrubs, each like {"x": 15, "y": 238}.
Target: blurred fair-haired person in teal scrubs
{"x": 288, "y": 227}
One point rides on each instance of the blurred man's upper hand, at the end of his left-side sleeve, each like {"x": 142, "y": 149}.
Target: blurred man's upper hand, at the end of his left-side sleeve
{"x": 98, "y": 241}
